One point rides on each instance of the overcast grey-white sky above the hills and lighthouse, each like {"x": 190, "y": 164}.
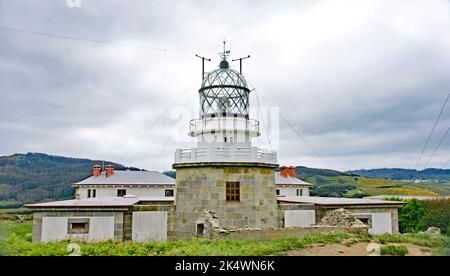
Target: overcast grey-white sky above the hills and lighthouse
{"x": 362, "y": 81}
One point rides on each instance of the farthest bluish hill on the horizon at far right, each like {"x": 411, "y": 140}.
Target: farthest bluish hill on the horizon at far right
{"x": 405, "y": 174}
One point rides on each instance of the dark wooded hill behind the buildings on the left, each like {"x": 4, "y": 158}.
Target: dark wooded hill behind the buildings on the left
{"x": 35, "y": 177}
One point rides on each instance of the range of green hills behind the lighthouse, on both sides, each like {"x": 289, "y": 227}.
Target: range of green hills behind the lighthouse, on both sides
{"x": 36, "y": 177}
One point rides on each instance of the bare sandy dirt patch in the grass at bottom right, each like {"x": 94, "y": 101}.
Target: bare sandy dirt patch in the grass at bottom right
{"x": 357, "y": 249}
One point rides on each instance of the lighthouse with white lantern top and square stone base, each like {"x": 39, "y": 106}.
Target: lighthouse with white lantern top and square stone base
{"x": 224, "y": 173}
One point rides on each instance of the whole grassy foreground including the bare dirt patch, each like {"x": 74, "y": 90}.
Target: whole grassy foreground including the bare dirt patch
{"x": 15, "y": 239}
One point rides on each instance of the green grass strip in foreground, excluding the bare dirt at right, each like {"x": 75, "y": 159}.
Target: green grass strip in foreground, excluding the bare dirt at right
{"x": 18, "y": 244}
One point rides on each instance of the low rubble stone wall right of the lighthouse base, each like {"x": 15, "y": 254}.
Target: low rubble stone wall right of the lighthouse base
{"x": 272, "y": 234}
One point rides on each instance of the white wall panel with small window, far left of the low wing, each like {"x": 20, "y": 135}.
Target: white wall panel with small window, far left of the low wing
{"x": 55, "y": 229}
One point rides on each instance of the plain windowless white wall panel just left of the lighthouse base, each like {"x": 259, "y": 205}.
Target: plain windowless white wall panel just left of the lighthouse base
{"x": 149, "y": 226}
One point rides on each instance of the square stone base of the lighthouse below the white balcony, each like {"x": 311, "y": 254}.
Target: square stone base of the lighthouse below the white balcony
{"x": 202, "y": 187}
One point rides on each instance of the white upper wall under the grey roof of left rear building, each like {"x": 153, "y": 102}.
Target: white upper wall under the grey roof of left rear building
{"x": 112, "y": 191}
